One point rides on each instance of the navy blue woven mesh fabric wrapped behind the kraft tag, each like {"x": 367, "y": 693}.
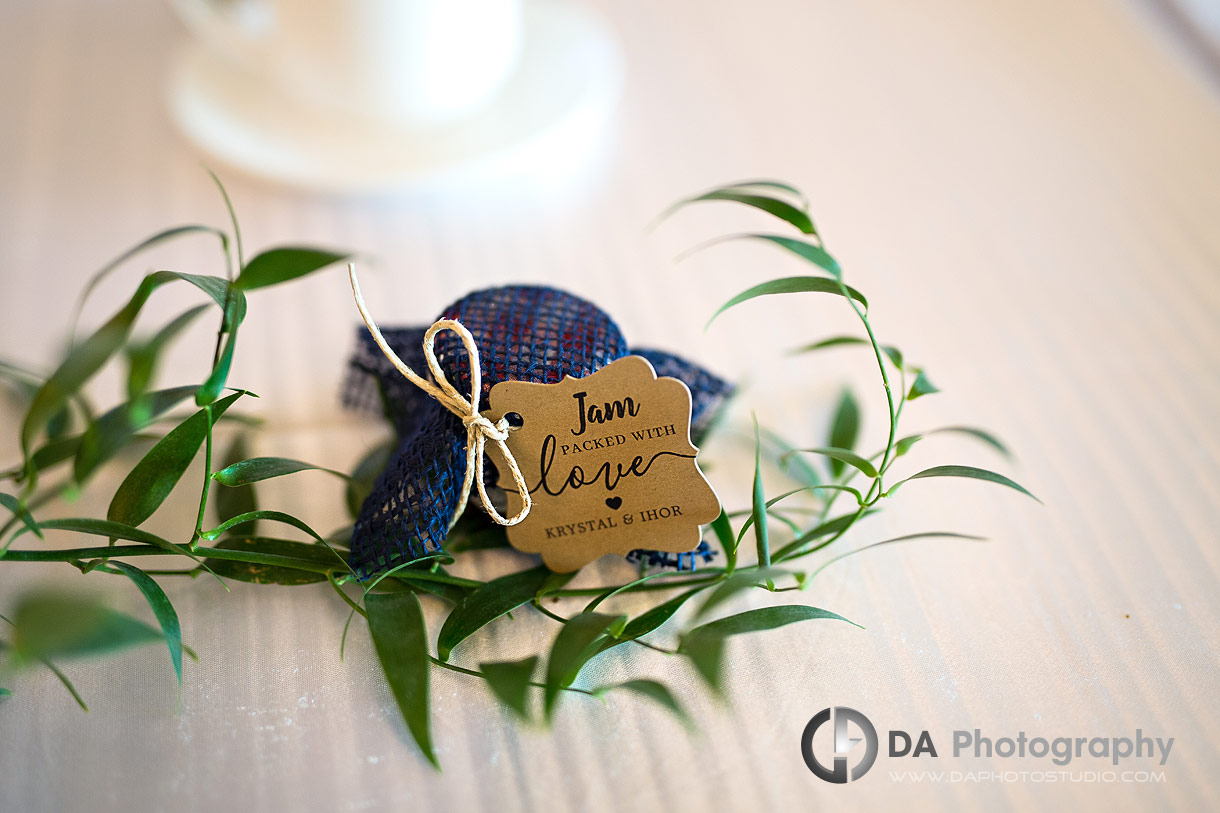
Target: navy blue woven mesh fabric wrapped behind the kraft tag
{"x": 523, "y": 334}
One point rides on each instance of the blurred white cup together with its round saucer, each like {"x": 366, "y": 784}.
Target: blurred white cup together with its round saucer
{"x": 375, "y": 96}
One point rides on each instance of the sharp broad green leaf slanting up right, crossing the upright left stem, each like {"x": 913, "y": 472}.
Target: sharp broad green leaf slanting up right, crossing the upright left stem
{"x": 147, "y": 486}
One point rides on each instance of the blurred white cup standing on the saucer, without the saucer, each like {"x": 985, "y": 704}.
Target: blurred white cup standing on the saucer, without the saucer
{"x": 413, "y": 62}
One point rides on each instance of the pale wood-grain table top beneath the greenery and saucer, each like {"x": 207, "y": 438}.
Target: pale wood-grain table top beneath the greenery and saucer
{"x": 1029, "y": 193}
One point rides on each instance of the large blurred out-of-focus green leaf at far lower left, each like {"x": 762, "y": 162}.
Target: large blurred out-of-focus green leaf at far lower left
{"x": 62, "y": 626}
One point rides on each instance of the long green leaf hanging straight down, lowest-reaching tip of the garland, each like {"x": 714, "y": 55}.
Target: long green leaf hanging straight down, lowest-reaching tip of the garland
{"x": 396, "y": 623}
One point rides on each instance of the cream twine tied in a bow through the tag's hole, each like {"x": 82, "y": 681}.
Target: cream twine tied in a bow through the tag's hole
{"x": 480, "y": 429}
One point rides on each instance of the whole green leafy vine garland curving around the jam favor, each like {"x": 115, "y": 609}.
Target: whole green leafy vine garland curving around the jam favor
{"x": 49, "y": 627}
